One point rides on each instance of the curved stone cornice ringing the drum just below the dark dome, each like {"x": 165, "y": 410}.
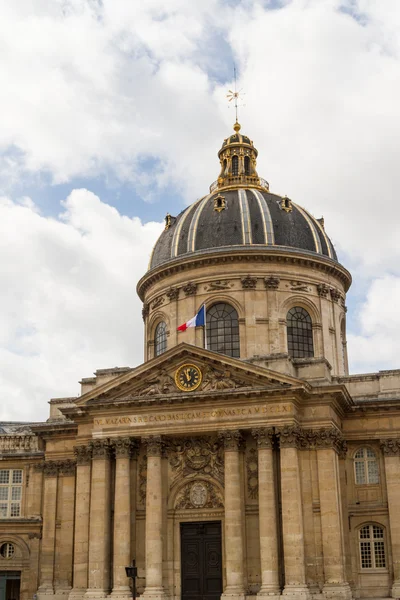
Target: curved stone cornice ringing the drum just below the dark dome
{"x": 278, "y": 254}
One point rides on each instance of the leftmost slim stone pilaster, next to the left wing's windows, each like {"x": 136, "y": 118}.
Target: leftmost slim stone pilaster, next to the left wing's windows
{"x": 50, "y": 472}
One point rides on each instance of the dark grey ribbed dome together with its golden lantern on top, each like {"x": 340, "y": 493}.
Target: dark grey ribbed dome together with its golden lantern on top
{"x": 240, "y": 211}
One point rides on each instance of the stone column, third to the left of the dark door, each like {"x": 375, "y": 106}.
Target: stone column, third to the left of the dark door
{"x": 100, "y": 524}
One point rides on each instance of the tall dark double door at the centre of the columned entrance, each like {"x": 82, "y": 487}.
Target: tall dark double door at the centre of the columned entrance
{"x": 201, "y": 560}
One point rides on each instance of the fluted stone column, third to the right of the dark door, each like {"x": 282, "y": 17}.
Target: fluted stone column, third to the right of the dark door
{"x": 292, "y": 514}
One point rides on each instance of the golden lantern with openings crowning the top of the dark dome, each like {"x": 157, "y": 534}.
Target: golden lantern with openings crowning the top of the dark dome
{"x": 238, "y": 159}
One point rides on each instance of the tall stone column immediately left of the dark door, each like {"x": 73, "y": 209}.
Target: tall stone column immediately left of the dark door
{"x": 154, "y": 520}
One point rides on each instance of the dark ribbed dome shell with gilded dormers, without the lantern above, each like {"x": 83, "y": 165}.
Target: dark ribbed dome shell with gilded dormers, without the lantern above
{"x": 244, "y": 217}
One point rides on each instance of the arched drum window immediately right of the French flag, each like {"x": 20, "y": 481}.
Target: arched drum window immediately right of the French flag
{"x": 223, "y": 329}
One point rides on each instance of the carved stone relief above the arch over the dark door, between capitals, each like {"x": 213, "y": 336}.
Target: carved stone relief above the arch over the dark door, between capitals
{"x": 196, "y": 456}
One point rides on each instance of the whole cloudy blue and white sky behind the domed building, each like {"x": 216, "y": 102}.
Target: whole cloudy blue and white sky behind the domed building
{"x": 112, "y": 113}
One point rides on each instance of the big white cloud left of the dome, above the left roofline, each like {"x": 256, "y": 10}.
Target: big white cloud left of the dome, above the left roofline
{"x": 69, "y": 304}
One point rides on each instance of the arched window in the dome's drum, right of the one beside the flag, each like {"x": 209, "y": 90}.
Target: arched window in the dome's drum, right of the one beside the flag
{"x": 299, "y": 331}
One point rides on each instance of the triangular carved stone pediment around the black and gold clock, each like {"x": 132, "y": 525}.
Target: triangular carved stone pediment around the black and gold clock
{"x": 157, "y": 378}
